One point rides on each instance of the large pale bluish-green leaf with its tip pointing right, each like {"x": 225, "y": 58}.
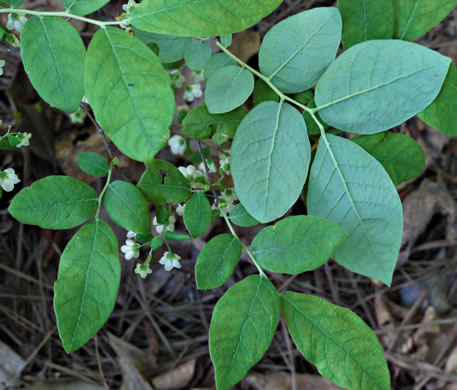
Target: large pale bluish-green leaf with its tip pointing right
{"x": 377, "y": 85}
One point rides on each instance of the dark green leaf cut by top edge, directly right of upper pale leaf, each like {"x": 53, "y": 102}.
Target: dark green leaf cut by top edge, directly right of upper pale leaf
{"x": 364, "y": 20}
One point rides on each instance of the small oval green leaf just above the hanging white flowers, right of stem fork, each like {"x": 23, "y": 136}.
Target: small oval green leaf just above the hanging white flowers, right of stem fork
{"x": 127, "y": 207}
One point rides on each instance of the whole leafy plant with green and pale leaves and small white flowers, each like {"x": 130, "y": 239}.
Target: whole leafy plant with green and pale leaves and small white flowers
{"x": 304, "y": 98}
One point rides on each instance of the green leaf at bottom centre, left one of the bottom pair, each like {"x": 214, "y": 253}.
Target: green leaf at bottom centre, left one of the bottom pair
{"x": 242, "y": 328}
